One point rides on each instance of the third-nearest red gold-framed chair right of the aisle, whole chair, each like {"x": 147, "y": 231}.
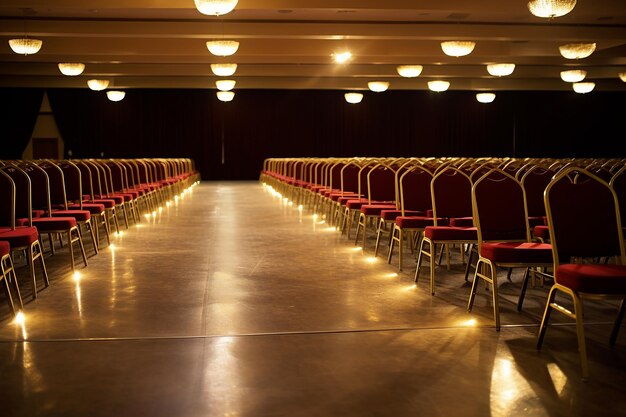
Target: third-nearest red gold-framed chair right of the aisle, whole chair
{"x": 451, "y": 191}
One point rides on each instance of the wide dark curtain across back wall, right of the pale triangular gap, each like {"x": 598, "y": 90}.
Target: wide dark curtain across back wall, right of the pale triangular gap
{"x": 286, "y": 123}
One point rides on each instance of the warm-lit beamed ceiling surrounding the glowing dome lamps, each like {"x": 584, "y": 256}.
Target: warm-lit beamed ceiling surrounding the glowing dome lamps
{"x": 289, "y": 44}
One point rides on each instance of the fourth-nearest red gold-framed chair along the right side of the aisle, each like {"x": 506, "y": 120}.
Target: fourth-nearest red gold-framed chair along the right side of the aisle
{"x": 415, "y": 203}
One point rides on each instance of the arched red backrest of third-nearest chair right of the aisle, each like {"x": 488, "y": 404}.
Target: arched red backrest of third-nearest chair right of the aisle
{"x": 451, "y": 193}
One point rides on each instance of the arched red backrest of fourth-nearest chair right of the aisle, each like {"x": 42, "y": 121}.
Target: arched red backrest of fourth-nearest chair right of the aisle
{"x": 415, "y": 189}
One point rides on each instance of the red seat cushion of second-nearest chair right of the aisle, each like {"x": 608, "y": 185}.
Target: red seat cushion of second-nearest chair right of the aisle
{"x": 517, "y": 252}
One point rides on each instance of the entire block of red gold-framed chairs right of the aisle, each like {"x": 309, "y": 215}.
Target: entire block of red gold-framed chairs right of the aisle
{"x": 505, "y": 212}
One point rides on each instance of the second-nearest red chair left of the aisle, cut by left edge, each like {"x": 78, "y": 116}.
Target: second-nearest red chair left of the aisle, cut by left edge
{"x": 16, "y": 200}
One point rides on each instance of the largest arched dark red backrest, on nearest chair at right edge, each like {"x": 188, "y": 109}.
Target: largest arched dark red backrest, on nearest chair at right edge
{"x": 583, "y": 217}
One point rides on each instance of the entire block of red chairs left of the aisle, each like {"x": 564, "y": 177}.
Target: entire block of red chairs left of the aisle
{"x": 64, "y": 199}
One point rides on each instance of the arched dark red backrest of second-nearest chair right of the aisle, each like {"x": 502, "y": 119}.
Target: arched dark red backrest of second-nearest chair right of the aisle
{"x": 499, "y": 207}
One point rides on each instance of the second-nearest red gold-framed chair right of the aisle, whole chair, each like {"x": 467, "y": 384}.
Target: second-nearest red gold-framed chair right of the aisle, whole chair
{"x": 500, "y": 214}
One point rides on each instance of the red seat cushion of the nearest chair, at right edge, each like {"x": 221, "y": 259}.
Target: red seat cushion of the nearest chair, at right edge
{"x": 593, "y": 278}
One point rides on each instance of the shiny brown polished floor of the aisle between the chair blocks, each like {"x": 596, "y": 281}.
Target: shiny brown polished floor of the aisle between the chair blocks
{"x": 233, "y": 303}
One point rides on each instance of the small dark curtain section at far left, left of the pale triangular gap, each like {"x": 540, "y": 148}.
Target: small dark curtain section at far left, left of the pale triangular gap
{"x": 18, "y": 119}
